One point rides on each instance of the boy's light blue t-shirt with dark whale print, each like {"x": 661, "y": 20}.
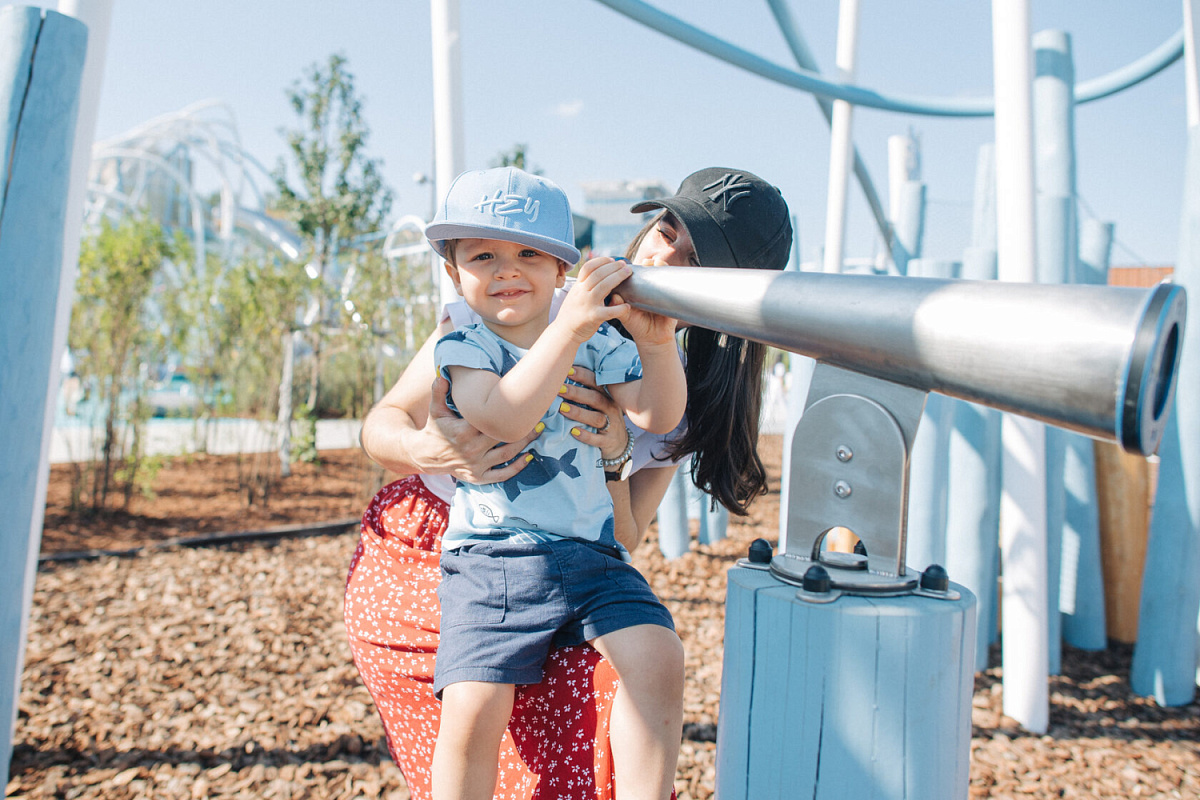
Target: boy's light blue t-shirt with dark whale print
{"x": 562, "y": 492}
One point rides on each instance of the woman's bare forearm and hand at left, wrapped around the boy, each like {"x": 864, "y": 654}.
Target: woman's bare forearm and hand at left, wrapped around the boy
{"x": 411, "y": 430}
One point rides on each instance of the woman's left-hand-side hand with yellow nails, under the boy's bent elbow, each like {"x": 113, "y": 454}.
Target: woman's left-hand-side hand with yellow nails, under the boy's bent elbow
{"x": 457, "y": 448}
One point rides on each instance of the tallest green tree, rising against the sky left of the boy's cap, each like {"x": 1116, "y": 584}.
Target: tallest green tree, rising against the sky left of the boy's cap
{"x": 340, "y": 195}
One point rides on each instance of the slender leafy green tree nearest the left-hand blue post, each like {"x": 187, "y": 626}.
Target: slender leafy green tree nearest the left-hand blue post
{"x": 116, "y": 332}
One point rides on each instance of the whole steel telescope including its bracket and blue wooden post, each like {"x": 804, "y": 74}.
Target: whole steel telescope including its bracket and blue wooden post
{"x": 1099, "y": 360}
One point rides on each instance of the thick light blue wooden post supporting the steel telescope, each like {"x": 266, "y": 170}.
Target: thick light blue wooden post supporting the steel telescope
{"x": 861, "y": 697}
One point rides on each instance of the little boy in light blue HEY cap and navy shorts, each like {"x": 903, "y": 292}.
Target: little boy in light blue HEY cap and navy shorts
{"x": 536, "y": 561}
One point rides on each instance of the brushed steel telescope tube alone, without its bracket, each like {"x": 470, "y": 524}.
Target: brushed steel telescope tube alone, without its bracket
{"x": 1100, "y": 360}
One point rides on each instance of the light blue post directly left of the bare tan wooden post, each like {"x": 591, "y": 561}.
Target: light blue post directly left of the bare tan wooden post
{"x": 1084, "y": 623}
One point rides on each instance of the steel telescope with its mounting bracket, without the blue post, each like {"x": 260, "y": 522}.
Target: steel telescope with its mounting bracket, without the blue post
{"x": 1099, "y": 360}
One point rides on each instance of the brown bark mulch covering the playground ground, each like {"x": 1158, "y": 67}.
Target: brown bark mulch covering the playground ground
{"x": 224, "y": 672}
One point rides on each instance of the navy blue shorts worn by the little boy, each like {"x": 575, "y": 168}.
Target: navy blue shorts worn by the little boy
{"x": 507, "y": 605}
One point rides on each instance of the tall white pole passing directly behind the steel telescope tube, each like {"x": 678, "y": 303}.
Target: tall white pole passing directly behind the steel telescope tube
{"x": 1023, "y": 536}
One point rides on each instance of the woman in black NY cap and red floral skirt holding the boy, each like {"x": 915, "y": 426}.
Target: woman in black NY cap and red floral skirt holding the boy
{"x": 557, "y": 743}
